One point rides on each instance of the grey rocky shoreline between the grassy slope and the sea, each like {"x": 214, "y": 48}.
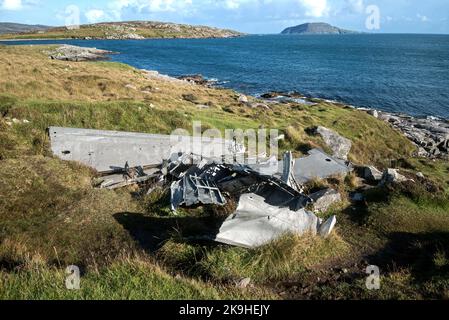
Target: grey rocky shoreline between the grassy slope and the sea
{"x": 429, "y": 134}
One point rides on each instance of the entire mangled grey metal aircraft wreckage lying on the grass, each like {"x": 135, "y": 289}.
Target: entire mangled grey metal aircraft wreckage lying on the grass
{"x": 269, "y": 193}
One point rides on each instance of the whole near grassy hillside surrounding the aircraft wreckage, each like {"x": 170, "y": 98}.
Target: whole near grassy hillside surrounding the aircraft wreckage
{"x": 51, "y": 215}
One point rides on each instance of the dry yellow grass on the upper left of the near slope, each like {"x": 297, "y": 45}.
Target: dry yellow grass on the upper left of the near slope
{"x": 27, "y": 72}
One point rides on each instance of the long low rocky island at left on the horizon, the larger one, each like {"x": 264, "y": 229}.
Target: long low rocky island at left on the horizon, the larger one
{"x": 117, "y": 31}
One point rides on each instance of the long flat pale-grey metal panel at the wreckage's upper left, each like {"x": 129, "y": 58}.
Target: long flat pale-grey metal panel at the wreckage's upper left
{"x": 108, "y": 151}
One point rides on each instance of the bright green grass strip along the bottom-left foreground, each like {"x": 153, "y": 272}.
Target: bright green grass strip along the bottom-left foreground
{"x": 131, "y": 279}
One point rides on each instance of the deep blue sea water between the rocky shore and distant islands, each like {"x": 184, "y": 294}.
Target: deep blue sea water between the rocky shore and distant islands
{"x": 396, "y": 73}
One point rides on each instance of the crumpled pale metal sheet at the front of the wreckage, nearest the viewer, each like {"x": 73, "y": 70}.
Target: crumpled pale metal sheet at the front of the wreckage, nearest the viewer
{"x": 256, "y": 223}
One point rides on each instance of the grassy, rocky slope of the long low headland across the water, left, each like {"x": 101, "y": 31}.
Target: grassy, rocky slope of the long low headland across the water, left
{"x": 155, "y": 30}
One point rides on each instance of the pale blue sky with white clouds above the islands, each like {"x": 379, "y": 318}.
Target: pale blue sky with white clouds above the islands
{"x": 252, "y": 16}
